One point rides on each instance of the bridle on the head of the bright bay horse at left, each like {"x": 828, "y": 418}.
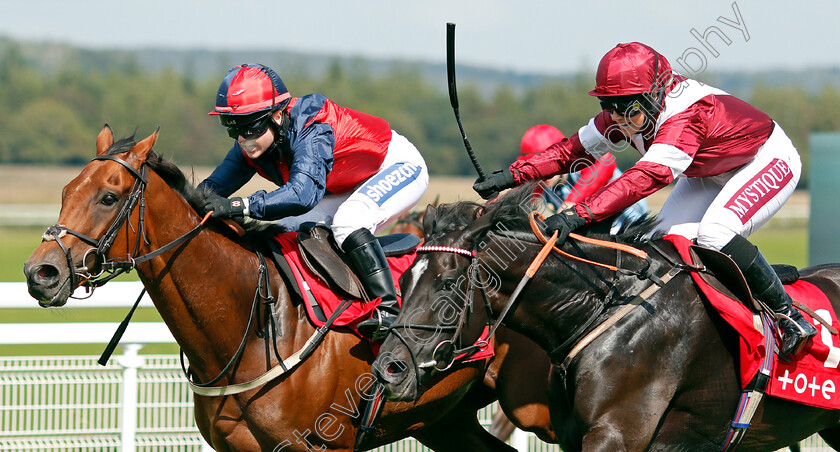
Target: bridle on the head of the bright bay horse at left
{"x": 101, "y": 247}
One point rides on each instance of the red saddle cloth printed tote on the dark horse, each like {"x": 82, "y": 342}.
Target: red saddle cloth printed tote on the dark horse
{"x": 812, "y": 376}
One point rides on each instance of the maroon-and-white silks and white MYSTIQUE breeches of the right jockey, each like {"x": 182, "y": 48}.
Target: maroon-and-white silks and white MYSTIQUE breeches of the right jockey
{"x": 734, "y": 166}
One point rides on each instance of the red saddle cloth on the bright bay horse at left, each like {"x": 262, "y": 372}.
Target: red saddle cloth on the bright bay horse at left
{"x": 329, "y": 301}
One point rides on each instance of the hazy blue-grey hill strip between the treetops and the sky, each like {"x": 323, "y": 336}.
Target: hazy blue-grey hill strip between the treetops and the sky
{"x": 204, "y": 64}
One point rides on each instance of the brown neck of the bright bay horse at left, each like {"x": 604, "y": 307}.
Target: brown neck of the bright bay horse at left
{"x": 205, "y": 288}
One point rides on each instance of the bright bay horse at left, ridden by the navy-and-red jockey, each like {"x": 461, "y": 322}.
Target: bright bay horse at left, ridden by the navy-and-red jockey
{"x": 129, "y": 208}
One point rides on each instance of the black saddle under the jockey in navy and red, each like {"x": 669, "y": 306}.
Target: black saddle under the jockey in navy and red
{"x": 322, "y": 256}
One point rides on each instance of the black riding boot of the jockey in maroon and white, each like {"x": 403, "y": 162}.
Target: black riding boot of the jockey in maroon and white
{"x": 767, "y": 287}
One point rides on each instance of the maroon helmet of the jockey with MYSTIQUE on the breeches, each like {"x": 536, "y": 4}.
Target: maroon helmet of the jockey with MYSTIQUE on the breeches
{"x": 632, "y": 68}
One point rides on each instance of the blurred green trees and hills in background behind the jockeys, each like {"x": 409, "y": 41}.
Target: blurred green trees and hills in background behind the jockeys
{"x": 79, "y": 89}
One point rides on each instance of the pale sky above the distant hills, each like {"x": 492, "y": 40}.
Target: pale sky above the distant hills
{"x": 527, "y": 36}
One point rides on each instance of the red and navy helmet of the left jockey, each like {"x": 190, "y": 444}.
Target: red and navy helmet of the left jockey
{"x": 249, "y": 89}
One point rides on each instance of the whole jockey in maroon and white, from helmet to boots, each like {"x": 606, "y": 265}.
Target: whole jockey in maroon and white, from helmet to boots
{"x": 734, "y": 167}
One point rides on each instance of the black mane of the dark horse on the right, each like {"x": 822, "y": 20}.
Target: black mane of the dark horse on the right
{"x": 509, "y": 214}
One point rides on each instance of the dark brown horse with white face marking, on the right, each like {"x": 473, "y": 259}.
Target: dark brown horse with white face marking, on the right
{"x": 663, "y": 377}
